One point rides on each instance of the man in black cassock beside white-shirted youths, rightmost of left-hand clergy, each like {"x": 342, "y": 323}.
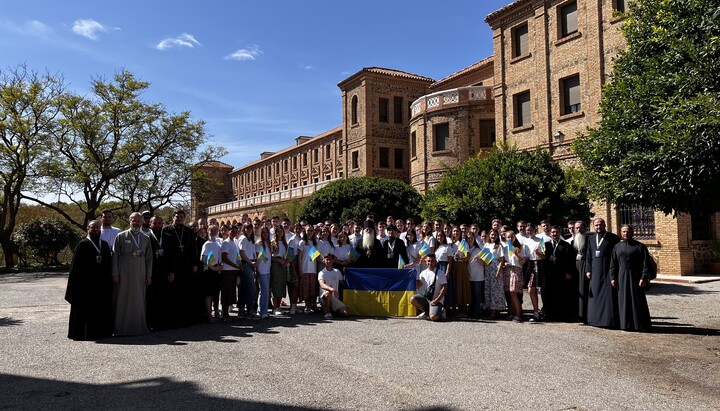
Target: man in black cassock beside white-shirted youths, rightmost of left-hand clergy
{"x": 183, "y": 264}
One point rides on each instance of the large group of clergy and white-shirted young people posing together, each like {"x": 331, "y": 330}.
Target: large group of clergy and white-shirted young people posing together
{"x": 157, "y": 276}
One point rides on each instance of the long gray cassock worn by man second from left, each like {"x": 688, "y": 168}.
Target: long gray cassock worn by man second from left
{"x": 132, "y": 262}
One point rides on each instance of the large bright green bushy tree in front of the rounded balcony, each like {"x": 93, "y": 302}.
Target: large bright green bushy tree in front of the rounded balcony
{"x": 507, "y": 184}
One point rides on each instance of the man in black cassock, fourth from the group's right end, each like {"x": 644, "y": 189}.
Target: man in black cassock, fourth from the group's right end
{"x": 559, "y": 295}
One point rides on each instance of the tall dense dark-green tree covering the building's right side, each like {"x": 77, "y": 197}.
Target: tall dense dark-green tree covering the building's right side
{"x": 658, "y": 142}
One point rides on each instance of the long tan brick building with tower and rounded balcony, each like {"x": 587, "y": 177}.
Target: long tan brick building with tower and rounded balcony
{"x": 539, "y": 89}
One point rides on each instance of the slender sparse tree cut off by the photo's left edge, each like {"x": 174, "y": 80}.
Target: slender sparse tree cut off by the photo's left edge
{"x": 28, "y": 117}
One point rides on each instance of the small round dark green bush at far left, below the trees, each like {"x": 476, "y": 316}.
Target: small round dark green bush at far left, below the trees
{"x": 44, "y": 239}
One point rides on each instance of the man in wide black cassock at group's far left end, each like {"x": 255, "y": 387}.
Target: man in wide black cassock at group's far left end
{"x": 90, "y": 288}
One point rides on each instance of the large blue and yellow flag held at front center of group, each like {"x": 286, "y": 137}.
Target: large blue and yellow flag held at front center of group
{"x": 379, "y": 292}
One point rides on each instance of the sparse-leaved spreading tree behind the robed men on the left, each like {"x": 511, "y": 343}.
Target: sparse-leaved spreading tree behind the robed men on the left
{"x": 116, "y": 146}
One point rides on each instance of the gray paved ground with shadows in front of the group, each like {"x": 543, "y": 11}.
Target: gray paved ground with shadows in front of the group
{"x": 305, "y": 362}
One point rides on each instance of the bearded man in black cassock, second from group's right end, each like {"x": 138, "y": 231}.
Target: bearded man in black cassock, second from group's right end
{"x": 602, "y": 297}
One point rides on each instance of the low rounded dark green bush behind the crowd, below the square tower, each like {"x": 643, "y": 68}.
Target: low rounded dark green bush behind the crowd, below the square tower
{"x": 357, "y": 197}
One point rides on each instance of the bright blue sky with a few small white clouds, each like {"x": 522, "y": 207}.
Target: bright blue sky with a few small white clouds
{"x": 259, "y": 73}
